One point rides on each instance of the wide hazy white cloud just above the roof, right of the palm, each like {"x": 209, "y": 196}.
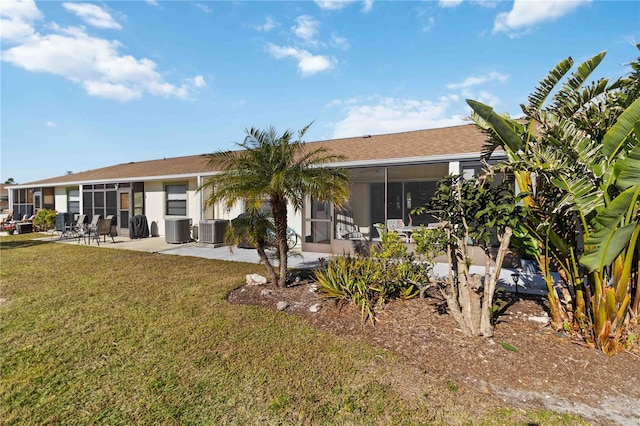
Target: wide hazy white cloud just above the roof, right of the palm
{"x": 390, "y": 115}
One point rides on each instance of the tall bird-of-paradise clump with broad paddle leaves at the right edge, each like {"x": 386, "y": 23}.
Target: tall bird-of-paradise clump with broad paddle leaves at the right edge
{"x": 577, "y": 157}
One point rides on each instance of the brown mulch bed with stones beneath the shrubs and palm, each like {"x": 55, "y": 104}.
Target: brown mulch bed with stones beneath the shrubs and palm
{"x": 525, "y": 364}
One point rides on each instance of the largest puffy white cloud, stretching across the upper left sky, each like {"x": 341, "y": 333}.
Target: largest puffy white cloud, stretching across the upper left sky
{"x": 95, "y": 64}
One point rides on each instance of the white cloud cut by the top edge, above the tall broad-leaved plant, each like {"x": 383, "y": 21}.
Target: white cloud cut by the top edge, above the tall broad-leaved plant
{"x": 526, "y": 14}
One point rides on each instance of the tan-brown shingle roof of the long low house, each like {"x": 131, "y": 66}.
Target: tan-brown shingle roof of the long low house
{"x": 447, "y": 141}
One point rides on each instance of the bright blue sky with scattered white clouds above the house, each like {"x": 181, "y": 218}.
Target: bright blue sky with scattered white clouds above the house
{"x": 92, "y": 84}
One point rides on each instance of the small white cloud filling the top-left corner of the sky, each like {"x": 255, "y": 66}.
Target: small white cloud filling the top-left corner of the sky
{"x": 16, "y": 19}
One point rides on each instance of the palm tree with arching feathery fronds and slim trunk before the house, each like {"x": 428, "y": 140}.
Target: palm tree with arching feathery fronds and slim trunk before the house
{"x": 280, "y": 170}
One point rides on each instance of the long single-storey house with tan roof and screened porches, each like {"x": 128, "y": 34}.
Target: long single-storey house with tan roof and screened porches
{"x": 389, "y": 175}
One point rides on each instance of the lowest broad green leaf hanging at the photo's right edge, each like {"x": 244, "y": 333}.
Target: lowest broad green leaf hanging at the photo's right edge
{"x": 610, "y": 238}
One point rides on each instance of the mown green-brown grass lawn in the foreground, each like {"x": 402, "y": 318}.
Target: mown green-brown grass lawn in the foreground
{"x": 101, "y": 336}
